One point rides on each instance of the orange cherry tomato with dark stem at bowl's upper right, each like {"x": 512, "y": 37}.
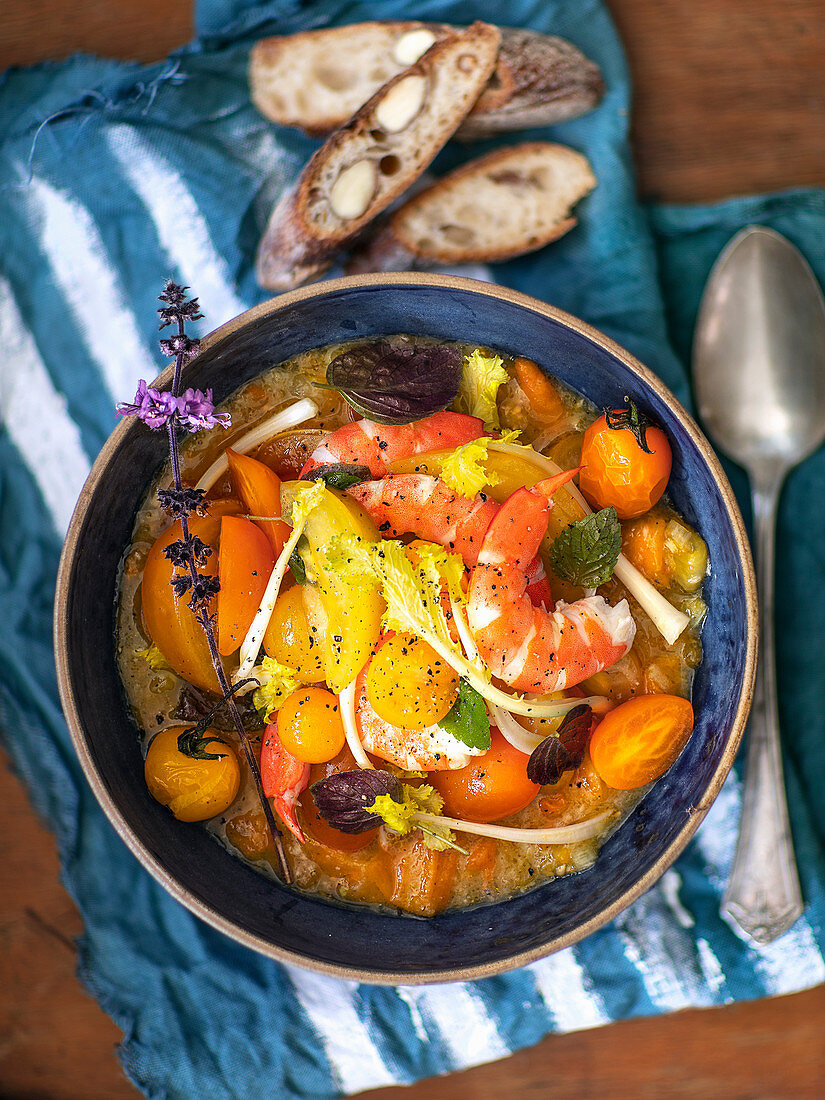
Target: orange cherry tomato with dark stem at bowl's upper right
{"x": 617, "y": 468}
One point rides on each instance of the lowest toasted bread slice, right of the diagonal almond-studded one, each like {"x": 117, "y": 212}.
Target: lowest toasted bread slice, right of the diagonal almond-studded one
{"x": 505, "y": 204}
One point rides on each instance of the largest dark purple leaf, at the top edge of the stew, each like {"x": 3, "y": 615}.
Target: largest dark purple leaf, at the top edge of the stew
{"x": 398, "y": 382}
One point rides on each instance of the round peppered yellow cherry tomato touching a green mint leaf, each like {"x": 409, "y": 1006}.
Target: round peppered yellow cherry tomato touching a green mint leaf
{"x": 409, "y": 685}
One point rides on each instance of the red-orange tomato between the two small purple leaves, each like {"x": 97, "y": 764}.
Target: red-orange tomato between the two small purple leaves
{"x": 492, "y": 786}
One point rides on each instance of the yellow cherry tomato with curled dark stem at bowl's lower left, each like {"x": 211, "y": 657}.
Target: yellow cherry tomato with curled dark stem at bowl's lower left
{"x": 195, "y": 788}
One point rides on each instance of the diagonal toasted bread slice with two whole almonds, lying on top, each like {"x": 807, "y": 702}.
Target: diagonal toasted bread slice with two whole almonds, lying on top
{"x": 375, "y": 158}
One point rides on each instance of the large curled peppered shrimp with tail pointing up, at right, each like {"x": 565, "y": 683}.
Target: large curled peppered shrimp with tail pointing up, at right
{"x": 527, "y": 647}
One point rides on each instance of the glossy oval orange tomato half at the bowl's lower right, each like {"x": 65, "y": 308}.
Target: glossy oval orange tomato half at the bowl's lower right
{"x": 641, "y": 740}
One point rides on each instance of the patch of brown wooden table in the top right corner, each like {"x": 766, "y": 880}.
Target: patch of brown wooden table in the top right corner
{"x": 730, "y": 95}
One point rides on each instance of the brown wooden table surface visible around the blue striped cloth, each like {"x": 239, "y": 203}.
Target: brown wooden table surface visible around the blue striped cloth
{"x": 730, "y": 98}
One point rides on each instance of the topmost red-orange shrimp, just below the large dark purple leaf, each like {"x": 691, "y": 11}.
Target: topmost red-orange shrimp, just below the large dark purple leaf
{"x": 367, "y": 444}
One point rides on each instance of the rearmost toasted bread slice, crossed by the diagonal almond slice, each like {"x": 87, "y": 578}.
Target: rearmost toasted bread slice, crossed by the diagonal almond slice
{"x": 317, "y": 80}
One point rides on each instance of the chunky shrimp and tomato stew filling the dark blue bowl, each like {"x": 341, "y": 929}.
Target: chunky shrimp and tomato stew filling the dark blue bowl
{"x": 455, "y": 623}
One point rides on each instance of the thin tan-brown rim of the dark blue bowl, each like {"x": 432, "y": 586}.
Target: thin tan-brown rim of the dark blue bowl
{"x": 206, "y": 912}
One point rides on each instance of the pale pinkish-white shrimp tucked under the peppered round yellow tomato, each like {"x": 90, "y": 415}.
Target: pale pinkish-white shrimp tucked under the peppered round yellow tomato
{"x": 428, "y": 750}
